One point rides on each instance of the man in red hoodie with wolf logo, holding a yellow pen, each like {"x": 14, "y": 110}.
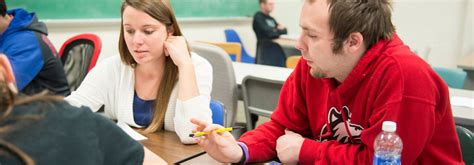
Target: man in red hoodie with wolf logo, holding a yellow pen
{"x": 355, "y": 73}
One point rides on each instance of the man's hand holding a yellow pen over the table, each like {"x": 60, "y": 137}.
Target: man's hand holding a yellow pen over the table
{"x": 220, "y": 146}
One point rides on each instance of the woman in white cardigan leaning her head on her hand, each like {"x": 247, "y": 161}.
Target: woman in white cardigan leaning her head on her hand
{"x": 156, "y": 83}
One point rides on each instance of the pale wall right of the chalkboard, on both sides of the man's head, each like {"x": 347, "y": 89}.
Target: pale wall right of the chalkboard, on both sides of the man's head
{"x": 441, "y": 31}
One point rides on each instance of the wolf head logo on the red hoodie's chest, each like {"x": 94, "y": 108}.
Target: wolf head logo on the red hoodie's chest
{"x": 337, "y": 127}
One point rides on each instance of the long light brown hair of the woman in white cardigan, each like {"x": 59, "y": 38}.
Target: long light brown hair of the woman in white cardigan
{"x": 161, "y": 11}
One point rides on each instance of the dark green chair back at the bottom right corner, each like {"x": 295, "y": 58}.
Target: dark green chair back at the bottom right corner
{"x": 466, "y": 139}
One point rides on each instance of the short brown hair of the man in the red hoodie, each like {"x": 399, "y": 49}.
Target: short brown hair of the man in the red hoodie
{"x": 372, "y": 18}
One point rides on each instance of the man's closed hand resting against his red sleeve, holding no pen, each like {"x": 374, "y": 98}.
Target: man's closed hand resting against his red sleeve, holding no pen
{"x": 288, "y": 147}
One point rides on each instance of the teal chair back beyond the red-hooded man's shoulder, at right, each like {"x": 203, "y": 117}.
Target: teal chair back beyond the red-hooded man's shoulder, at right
{"x": 453, "y": 77}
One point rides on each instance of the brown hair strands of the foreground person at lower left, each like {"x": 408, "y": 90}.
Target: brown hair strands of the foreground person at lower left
{"x": 8, "y": 100}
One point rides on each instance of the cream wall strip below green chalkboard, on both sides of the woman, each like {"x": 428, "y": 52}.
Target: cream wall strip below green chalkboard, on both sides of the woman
{"x": 108, "y": 30}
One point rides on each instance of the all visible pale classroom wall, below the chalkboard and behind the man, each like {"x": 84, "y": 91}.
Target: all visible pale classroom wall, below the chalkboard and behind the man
{"x": 441, "y": 31}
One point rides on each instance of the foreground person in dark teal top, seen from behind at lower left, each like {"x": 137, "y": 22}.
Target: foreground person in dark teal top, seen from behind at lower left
{"x": 44, "y": 129}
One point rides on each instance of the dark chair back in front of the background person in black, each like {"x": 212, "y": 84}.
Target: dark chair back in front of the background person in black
{"x": 270, "y": 53}
